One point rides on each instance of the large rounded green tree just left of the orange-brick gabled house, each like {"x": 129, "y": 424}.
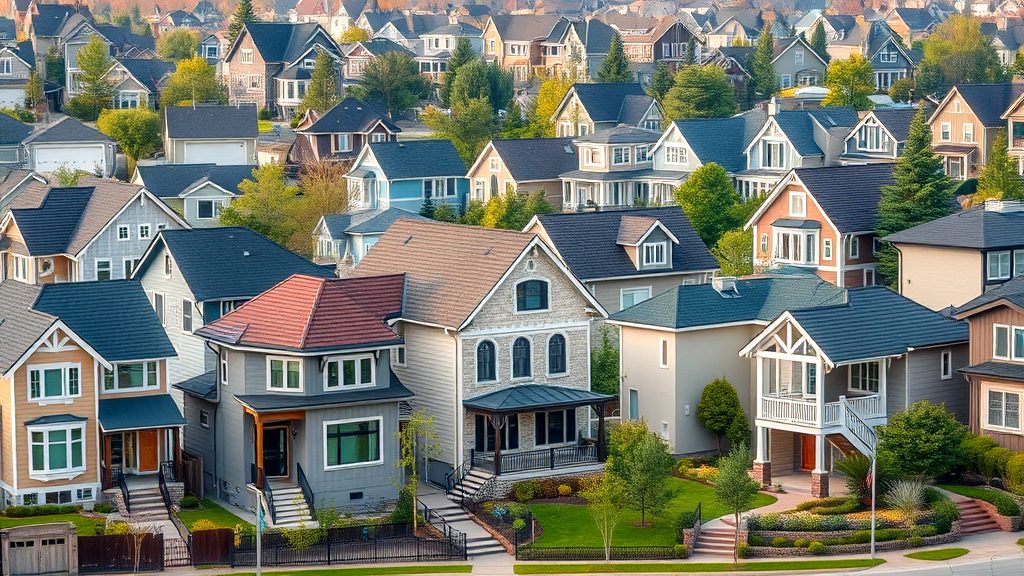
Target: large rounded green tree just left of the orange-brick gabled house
{"x": 709, "y": 201}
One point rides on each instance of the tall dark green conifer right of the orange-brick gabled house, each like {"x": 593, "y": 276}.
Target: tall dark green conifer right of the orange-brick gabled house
{"x": 921, "y": 193}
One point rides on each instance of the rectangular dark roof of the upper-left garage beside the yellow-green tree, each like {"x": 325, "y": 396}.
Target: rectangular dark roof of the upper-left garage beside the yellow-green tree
{"x": 211, "y": 122}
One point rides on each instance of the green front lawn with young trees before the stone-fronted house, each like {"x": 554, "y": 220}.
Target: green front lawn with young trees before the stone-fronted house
{"x": 572, "y": 525}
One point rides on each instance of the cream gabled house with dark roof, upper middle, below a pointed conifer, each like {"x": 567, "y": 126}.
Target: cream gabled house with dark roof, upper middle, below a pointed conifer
{"x": 591, "y": 108}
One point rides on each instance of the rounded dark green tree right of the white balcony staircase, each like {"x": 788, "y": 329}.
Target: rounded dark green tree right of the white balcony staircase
{"x": 925, "y": 441}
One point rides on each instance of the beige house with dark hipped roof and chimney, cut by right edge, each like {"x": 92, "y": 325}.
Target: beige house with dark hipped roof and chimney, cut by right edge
{"x": 954, "y": 260}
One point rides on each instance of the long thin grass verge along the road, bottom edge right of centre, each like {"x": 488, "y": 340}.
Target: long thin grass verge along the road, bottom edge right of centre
{"x": 698, "y": 567}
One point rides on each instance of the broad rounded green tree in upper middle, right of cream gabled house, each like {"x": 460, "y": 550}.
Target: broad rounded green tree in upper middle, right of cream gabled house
{"x": 701, "y": 92}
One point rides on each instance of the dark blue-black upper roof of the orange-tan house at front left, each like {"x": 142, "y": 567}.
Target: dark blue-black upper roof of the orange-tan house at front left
{"x": 87, "y": 309}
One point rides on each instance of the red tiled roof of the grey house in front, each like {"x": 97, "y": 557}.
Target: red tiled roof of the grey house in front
{"x": 310, "y": 314}
